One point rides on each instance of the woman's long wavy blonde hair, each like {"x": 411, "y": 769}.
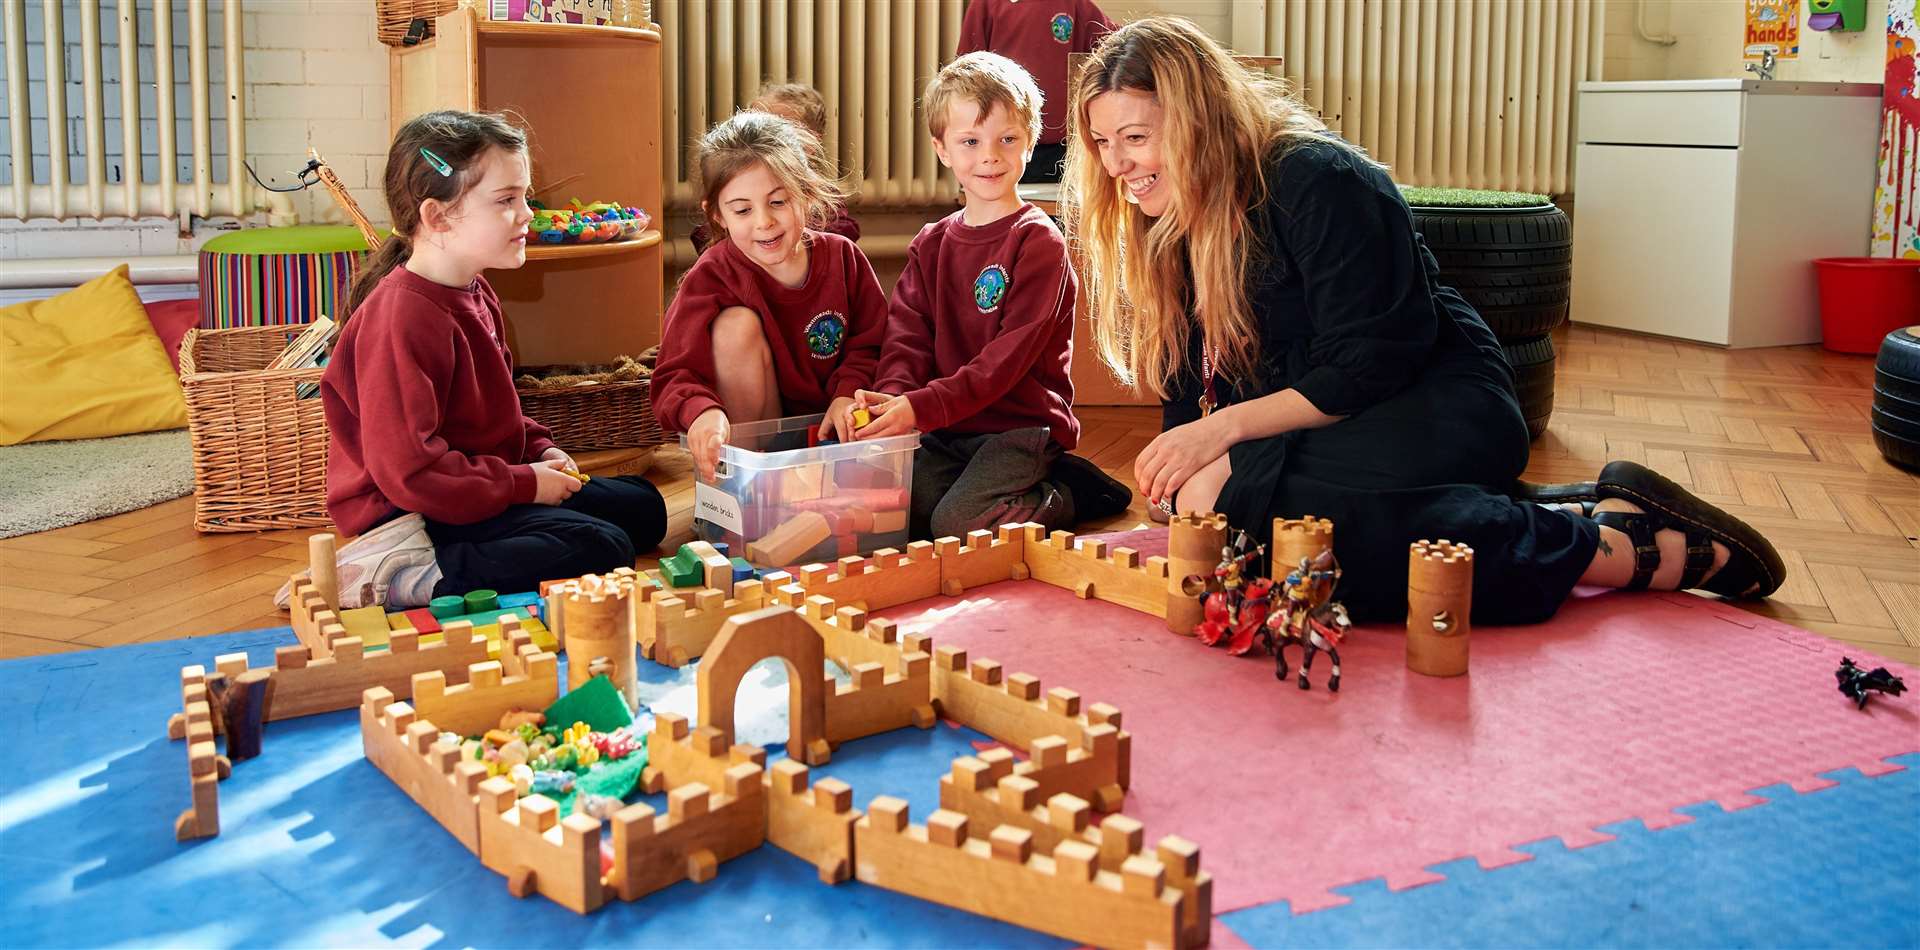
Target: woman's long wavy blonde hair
{"x": 1222, "y": 128}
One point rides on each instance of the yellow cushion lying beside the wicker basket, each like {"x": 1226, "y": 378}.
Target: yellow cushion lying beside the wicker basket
{"x": 84, "y": 366}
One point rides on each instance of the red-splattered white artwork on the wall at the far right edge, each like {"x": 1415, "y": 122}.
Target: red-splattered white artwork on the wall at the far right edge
{"x": 1896, "y": 220}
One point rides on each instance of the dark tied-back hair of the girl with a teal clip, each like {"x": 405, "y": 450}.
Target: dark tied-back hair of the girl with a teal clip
{"x": 456, "y": 141}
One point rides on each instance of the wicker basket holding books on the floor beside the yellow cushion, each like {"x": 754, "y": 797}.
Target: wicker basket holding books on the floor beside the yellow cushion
{"x": 260, "y": 454}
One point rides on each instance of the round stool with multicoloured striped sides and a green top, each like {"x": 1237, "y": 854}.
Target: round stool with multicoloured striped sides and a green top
{"x": 262, "y": 277}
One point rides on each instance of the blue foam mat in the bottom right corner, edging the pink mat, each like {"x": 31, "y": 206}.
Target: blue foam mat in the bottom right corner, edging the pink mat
{"x": 1827, "y": 868}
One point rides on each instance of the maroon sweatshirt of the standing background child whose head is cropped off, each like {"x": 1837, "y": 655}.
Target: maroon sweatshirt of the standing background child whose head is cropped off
{"x": 1038, "y": 36}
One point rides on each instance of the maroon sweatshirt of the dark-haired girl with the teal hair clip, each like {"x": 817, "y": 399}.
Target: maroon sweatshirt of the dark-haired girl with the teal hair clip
{"x": 421, "y": 408}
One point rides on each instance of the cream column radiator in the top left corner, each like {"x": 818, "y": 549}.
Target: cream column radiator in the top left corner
{"x": 132, "y": 197}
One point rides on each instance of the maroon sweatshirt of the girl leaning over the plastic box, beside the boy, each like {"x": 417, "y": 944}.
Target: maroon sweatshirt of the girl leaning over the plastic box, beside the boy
{"x": 825, "y": 335}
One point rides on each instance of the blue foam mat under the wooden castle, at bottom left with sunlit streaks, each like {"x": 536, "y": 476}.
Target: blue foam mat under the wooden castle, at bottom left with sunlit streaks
{"x": 320, "y": 849}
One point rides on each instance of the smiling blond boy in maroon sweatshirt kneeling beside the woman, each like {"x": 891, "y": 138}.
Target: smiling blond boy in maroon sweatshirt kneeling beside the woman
{"x": 982, "y": 321}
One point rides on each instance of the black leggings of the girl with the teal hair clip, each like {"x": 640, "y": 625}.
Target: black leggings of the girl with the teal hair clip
{"x": 594, "y": 533}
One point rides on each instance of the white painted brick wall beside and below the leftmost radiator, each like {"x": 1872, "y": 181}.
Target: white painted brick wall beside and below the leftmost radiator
{"x": 316, "y": 74}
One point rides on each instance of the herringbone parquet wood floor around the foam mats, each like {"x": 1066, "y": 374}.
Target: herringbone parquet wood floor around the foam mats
{"x": 1777, "y": 437}
